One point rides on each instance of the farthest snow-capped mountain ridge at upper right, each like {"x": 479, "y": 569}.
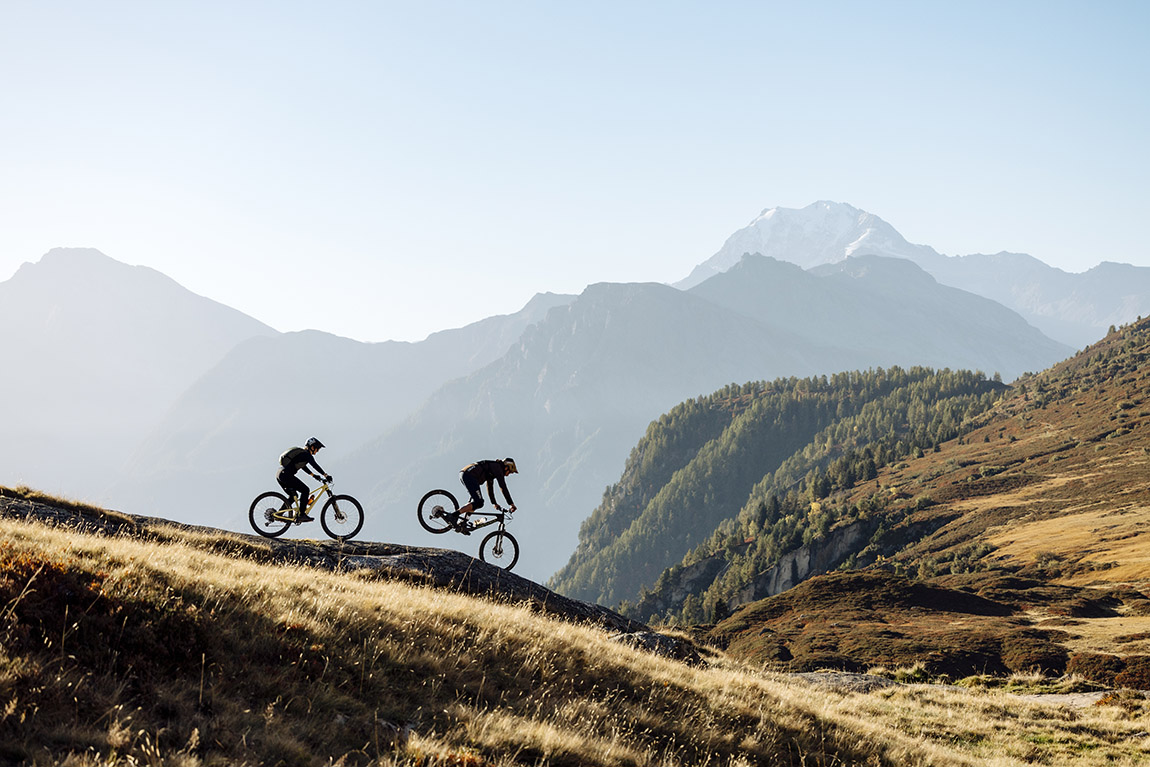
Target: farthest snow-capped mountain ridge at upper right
{"x": 1074, "y": 309}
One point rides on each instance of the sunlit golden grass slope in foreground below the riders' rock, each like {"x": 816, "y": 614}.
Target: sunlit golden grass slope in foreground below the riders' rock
{"x": 120, "y": 651}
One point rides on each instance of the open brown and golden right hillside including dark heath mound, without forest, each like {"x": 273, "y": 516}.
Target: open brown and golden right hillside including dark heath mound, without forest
{"x": 1041, "y": 510}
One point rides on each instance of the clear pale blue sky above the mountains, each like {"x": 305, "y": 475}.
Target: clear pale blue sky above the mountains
{"x": 388, "y": 170}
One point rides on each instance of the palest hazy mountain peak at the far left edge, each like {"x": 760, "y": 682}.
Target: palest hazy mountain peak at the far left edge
{"x": 95, "y": 352}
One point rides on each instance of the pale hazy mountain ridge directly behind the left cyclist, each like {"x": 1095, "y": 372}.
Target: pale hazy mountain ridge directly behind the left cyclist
{"x": 270, "y": 394}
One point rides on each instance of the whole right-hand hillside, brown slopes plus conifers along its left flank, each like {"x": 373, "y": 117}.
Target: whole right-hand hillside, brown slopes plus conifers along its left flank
{"x": 1037, "y": 505}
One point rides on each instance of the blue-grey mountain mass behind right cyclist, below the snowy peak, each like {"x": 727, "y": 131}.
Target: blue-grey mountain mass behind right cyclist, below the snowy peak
{"x": 580, "y": 389}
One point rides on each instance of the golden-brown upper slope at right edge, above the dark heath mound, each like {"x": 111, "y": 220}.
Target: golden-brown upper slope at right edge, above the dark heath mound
{"x": 1061, "y": 473}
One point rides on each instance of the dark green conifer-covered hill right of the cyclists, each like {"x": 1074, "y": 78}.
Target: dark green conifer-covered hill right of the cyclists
{"x": 745, "y": 462}
